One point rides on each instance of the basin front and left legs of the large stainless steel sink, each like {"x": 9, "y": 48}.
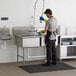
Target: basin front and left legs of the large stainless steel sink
{"x": 26, "y": 42}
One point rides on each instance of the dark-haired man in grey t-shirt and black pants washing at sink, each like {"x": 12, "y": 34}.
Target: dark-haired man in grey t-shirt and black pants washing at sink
{"x": 50, "y": 37}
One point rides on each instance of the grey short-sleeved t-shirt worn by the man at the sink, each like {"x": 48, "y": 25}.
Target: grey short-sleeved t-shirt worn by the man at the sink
{"x": 52, "y": 24}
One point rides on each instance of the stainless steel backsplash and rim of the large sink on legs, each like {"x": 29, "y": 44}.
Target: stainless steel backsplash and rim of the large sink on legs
{"x": 25, "y": 32}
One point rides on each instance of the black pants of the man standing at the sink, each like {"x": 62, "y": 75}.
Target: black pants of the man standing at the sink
{"x": 51, "y": 51}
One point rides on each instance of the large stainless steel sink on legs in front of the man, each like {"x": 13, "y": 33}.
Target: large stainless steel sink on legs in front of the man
{"x": 26, "y": 38}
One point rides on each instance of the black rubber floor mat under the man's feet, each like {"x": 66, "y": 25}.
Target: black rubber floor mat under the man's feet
{"x": 42, "y": 68}
